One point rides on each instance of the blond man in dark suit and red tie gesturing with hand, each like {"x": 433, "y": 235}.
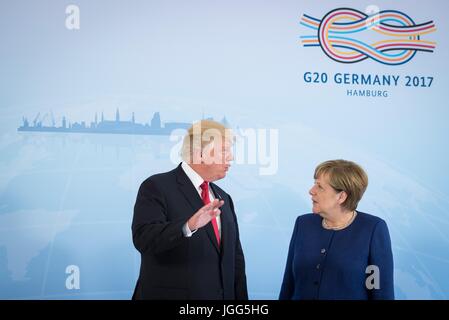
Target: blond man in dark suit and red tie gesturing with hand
{"x": 185, "y": 226}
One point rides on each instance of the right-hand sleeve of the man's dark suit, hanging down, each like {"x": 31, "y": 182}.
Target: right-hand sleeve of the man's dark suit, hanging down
{"x": 240, "y": 287}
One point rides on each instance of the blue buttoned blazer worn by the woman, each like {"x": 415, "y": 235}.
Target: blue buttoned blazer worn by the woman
{"x": 328, "y": 264}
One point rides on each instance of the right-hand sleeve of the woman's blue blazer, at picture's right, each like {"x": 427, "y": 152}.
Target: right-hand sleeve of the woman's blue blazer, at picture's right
{"x": 381, "y": 256}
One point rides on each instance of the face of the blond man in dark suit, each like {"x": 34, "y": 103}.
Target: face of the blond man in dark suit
{"x": 216, "y": 159}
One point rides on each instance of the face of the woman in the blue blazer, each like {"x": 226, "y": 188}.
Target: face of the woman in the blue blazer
{"x": 324, "y": 198}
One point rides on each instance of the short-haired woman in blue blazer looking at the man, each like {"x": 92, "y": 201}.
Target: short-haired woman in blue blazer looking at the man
{"x": 338, "y": 252}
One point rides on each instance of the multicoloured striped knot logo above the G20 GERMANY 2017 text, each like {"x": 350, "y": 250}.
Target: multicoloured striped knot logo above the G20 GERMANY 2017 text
{"x": 348, "y": 36}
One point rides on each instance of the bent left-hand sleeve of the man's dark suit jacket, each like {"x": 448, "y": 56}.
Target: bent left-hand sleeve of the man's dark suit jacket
{"x": 152, "y": 231}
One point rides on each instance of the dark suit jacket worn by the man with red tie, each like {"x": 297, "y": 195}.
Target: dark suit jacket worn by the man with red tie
{"x": 177, "y": 267}
